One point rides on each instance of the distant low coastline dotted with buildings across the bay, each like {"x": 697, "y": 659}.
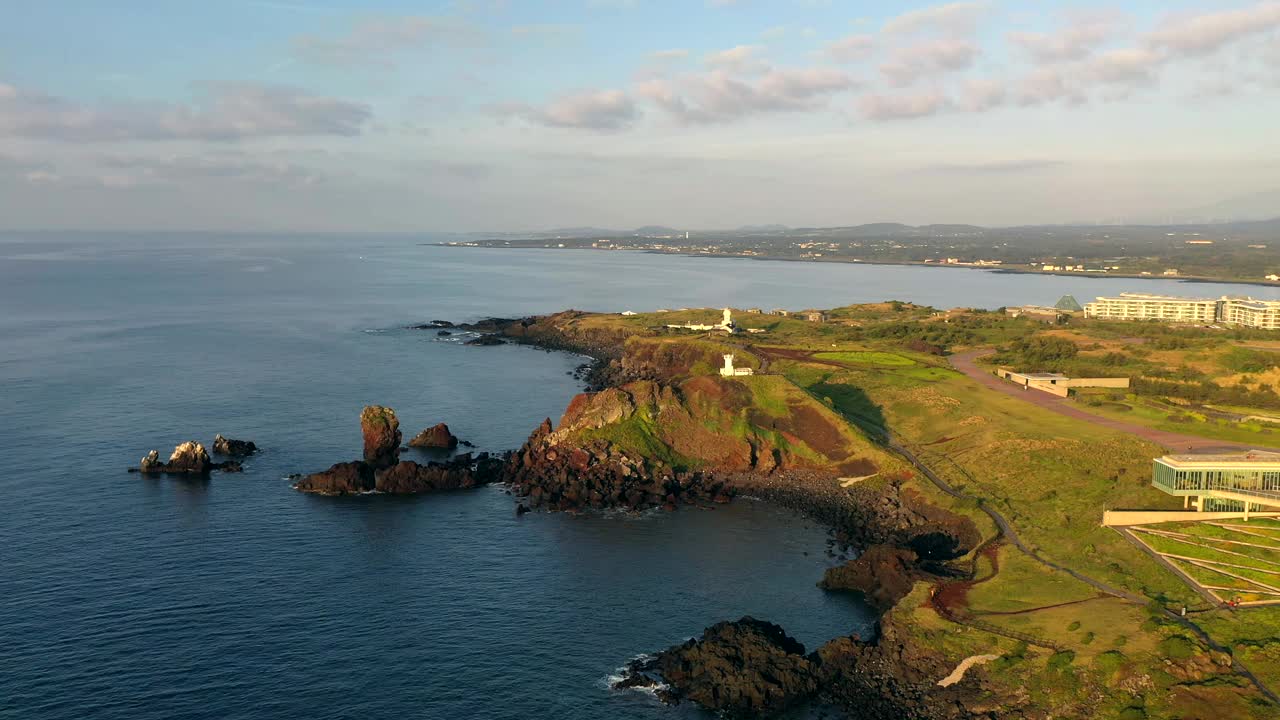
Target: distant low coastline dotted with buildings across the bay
{"x": 1241, "y": 252}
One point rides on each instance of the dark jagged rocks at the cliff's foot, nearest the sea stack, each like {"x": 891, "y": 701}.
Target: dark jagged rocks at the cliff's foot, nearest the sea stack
{"x": 600, "y": 476}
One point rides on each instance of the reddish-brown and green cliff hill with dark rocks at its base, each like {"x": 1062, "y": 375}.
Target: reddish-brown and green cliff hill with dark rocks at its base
{"x": 648, "y": 444}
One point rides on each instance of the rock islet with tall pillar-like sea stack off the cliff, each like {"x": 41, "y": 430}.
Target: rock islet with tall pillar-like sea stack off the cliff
{"x": 383, "y": 471}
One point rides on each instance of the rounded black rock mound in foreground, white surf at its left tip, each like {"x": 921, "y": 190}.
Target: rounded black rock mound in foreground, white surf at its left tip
{"x": 743, "y": 669}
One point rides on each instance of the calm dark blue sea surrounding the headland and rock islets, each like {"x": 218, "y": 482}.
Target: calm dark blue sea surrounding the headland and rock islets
{"x": 236, "y": 598}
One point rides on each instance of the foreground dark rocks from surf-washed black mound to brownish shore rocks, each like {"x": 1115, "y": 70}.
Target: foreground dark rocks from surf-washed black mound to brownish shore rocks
{"x": 752, "y": 669}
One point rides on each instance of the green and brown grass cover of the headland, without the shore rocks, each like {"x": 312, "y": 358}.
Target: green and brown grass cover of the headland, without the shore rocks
{"x": 1084, "y": 622}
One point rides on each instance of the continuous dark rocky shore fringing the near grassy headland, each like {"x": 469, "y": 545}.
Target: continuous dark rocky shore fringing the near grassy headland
{"x": 751, "y": 668}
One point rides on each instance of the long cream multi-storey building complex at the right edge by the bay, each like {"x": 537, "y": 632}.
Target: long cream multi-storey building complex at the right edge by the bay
{"x": 1246, "y": 312}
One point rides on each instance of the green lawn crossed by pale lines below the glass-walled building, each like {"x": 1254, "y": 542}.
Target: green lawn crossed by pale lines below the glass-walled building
{"x": 1227, "y": 562}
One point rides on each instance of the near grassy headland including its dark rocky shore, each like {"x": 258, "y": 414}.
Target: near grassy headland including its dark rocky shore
{"x": 975, "y": 516}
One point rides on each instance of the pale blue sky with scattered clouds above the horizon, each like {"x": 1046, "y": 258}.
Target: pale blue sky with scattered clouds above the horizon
{"x": 482, "y": 116}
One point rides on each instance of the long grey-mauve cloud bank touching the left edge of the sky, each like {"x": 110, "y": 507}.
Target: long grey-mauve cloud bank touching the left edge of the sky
{"x": 227, "y": 112}
